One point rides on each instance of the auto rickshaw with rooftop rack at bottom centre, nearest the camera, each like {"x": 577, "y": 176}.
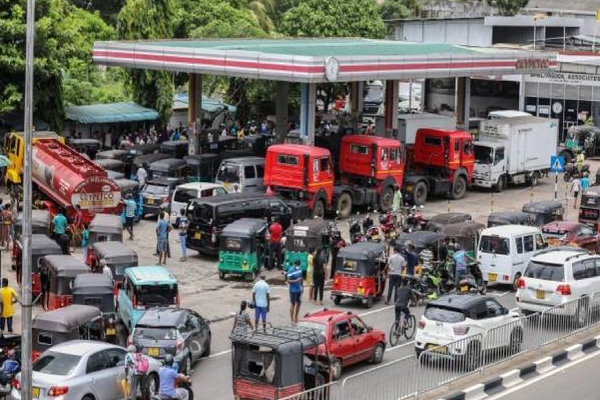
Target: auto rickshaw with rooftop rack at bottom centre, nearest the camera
{"x": 278, "y": 363}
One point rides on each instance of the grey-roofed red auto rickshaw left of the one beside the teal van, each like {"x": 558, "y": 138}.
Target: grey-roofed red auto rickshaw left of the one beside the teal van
{"x": 58, "y": 273}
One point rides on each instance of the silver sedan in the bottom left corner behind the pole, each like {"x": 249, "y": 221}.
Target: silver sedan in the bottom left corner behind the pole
{"x": 82, "y": 370}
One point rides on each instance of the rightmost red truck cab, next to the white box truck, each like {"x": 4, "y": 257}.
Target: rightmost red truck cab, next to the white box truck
{"x": 440, "y": 163}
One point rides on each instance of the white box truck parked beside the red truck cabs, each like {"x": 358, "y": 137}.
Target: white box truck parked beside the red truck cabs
{"x": 514, "y": 150}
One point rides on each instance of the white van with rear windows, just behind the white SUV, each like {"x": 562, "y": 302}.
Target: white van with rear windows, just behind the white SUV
{"x": 504, "y": 251}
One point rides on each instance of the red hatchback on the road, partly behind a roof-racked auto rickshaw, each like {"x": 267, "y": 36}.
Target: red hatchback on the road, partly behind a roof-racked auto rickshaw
{"x": 348, "y": 338}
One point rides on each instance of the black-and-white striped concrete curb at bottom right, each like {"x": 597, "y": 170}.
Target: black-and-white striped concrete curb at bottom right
{"x": 528, "y": 371}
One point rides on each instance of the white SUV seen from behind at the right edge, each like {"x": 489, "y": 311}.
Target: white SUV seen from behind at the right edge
{"x": 557, "y": 276}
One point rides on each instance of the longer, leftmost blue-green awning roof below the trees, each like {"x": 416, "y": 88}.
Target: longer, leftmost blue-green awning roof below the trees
{"x": 110, "y": 113}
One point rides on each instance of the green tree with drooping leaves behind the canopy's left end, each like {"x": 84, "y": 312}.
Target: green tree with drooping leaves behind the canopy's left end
{"x": 149, "y": 19}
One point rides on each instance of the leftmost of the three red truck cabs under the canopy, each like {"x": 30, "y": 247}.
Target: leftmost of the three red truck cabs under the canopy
{"x": 300, "y": 172}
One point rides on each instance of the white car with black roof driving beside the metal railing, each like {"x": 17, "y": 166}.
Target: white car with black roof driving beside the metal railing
{"x": 458, "y": 326}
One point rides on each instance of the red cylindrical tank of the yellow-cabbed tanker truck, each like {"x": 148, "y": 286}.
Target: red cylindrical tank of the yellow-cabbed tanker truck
{"x": 66, "y": 179}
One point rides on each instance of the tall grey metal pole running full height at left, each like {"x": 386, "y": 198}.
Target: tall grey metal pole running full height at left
{"x": 26, "y": 392}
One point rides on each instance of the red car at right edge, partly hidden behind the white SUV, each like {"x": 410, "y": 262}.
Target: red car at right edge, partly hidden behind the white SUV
{"x": 570, "y": 233}
